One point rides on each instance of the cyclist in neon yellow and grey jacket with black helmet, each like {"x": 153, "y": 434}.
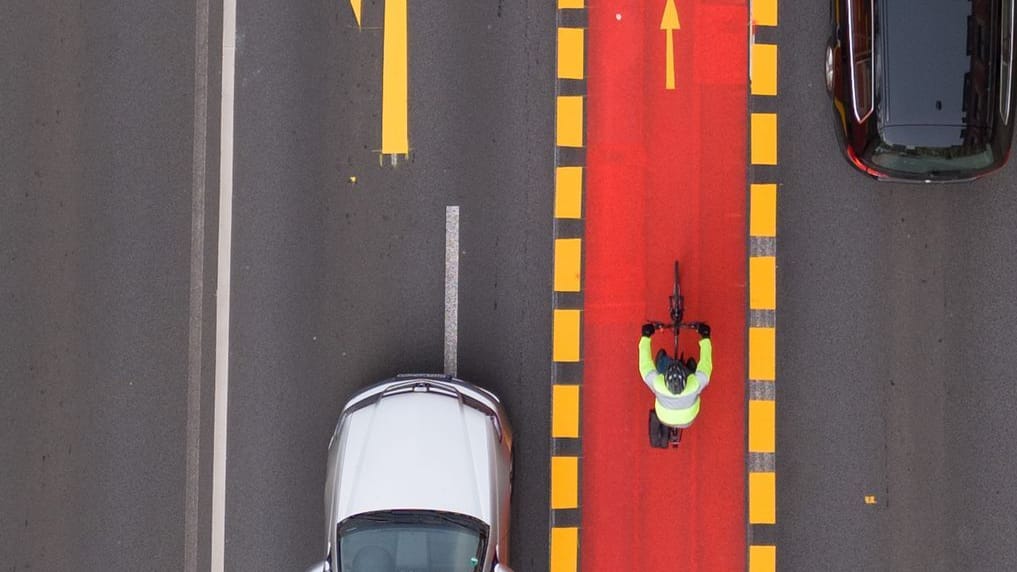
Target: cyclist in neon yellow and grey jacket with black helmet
{"x": 677, "y": 385}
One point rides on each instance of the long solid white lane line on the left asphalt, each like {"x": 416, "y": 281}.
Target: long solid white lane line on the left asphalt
{"x": 223, "y": 289}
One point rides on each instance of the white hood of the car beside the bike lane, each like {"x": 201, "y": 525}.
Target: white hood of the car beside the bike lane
{"x": 416, "y": 450}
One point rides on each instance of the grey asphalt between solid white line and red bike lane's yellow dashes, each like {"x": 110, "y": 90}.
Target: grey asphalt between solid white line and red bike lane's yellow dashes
{"x": 337, "y": 285}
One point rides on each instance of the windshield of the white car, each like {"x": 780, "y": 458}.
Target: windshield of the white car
{"x": 411, "y": 540}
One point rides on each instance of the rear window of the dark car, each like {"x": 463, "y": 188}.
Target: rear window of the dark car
{"x": 933, "y": 161}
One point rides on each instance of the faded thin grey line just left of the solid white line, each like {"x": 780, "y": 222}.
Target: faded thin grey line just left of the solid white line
{"x": 194, "y": 435}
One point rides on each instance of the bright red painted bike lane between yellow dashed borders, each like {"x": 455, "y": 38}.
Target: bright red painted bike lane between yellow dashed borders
{"x": 666, "y": 181}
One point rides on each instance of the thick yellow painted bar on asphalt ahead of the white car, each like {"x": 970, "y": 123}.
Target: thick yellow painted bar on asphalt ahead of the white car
{"x": 395, "y": 98}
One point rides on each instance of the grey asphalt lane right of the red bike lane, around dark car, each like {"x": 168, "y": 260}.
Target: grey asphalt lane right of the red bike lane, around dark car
{"x": 895, "y": 355}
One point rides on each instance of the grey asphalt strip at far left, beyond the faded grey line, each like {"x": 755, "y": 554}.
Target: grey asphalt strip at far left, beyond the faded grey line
{"x": 97, "y": 118}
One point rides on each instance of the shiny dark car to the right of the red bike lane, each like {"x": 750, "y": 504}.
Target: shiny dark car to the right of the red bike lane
{"x": 923, "y": 89}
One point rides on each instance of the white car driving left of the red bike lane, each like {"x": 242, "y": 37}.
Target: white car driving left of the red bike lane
{"x": 420, "y": 479}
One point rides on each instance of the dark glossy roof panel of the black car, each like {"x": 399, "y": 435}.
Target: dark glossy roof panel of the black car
{"x": 923, "y": 47}
